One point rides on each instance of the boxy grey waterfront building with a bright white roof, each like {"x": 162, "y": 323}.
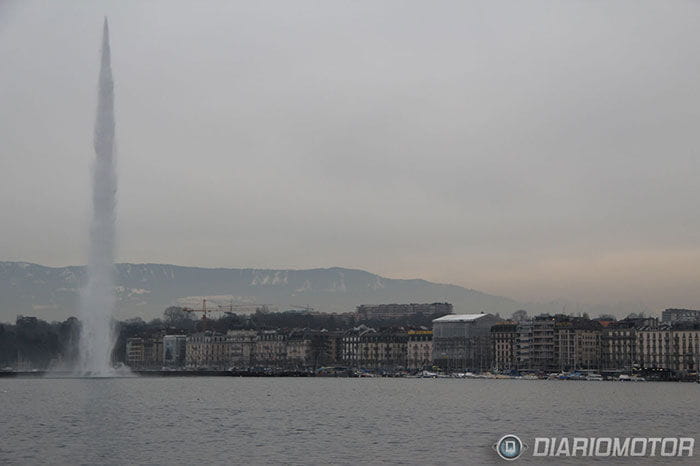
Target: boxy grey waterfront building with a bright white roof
{"x": 462, "y": 342}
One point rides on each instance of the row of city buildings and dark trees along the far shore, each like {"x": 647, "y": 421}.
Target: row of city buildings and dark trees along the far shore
{"x": 382, "y": 339}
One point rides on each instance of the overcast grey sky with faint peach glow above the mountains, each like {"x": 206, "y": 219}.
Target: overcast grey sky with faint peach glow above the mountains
{"x": 536, "y": 150}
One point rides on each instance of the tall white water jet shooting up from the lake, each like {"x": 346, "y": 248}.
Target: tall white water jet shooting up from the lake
{"x": 98, "y": 299}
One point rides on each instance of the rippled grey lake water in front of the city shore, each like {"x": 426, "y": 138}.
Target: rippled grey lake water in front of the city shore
{"x": 322, "y": 420}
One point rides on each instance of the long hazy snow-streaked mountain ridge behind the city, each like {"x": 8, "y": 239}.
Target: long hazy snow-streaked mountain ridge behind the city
{"x": 145, "y": 290}
